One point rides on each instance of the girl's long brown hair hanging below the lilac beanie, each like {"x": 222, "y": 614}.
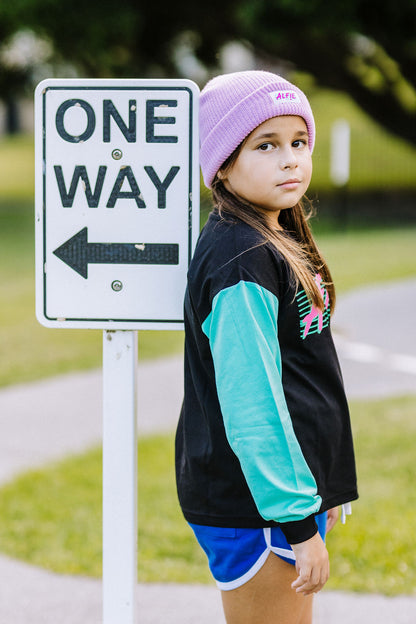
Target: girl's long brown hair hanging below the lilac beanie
{"x": 295, "y": 242}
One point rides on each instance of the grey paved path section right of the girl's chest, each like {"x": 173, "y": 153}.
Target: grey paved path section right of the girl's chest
{"x": 375, "y": 334}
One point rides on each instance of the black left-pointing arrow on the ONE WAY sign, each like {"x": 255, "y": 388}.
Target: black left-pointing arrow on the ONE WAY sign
{"x": 78, "y": 253}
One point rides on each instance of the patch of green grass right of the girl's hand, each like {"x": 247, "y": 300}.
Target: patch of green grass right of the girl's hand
{"x": 376, "y": 551}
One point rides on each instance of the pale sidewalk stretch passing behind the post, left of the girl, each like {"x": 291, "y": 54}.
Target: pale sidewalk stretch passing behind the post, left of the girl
{"x": 46, "y": 420}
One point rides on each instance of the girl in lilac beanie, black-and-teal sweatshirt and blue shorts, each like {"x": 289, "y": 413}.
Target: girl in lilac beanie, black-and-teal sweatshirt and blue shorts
{"x": 264, "y": 452}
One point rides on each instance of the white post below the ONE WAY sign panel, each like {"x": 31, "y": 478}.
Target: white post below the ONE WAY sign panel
{"x": 119, "y": 476}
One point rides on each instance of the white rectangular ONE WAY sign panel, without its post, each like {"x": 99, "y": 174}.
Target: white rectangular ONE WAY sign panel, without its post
{"x": 117, "y": 201}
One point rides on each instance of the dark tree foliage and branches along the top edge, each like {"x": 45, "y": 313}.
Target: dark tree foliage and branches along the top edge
{"x": 367, "y": 49}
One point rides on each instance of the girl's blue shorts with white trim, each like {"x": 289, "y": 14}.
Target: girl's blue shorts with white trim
{"x": 236, "y": 555}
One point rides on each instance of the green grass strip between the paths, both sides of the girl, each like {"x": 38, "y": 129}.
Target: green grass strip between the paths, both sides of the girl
{"x": 52, "y": 517}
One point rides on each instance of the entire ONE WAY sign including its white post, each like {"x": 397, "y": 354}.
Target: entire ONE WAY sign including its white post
{"x": 117, "y": 219}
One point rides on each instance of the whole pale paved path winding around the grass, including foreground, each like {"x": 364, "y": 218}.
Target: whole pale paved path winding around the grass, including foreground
{"x": 47, "y": 420}
